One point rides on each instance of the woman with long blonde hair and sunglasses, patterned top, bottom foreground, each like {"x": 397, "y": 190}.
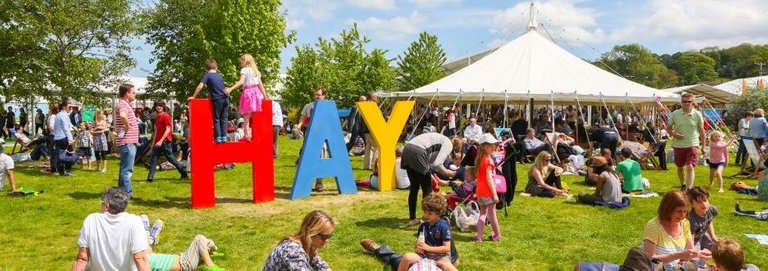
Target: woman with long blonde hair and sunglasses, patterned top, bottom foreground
{"x": 299, "y": 251}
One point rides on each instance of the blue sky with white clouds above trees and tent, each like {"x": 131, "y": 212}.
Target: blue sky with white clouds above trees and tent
{"x": 466, "y": 27}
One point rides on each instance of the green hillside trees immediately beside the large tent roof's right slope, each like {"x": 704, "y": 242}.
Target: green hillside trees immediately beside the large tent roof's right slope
{"x": 638, "y": 64}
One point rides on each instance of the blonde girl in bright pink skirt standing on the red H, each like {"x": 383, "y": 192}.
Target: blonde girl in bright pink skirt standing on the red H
{"x": 253, "y": 92}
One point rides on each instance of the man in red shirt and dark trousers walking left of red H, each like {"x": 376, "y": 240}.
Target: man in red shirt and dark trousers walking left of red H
{"x": 161, "y": 142}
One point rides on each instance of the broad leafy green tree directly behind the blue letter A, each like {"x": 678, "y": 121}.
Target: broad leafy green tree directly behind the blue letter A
{"x": 342, "y": 65}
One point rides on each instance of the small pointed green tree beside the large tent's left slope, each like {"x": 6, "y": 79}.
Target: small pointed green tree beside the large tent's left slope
{"x": 421, "y": 63}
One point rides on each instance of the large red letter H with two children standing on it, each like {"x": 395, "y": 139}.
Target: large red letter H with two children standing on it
{"x": 205, "y": 154}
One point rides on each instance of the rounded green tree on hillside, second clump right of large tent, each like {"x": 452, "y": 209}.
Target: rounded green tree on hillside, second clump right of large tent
{"x": 694, "y": 68}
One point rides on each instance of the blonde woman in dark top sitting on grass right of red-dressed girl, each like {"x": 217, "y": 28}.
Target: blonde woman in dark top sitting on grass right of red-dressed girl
{"x": 541, "y": 186}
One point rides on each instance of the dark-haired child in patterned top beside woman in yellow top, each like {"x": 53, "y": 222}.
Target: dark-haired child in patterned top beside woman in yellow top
{"x": 701, "y": 216}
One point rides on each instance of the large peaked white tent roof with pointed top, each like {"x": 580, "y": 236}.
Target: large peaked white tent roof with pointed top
{"x": 532, "y": 66}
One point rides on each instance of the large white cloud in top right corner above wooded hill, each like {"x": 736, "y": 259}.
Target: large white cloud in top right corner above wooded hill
{"x": 695, "y": 24}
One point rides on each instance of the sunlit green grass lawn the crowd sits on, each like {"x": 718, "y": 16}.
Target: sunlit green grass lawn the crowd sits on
{"x": 40, "y": 233}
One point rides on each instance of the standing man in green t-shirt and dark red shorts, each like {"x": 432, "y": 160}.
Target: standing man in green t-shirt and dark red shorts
{"x": 686, "y": 126}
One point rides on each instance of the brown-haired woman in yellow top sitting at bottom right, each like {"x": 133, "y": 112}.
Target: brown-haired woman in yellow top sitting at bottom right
{"x": 667, "y": 237}
